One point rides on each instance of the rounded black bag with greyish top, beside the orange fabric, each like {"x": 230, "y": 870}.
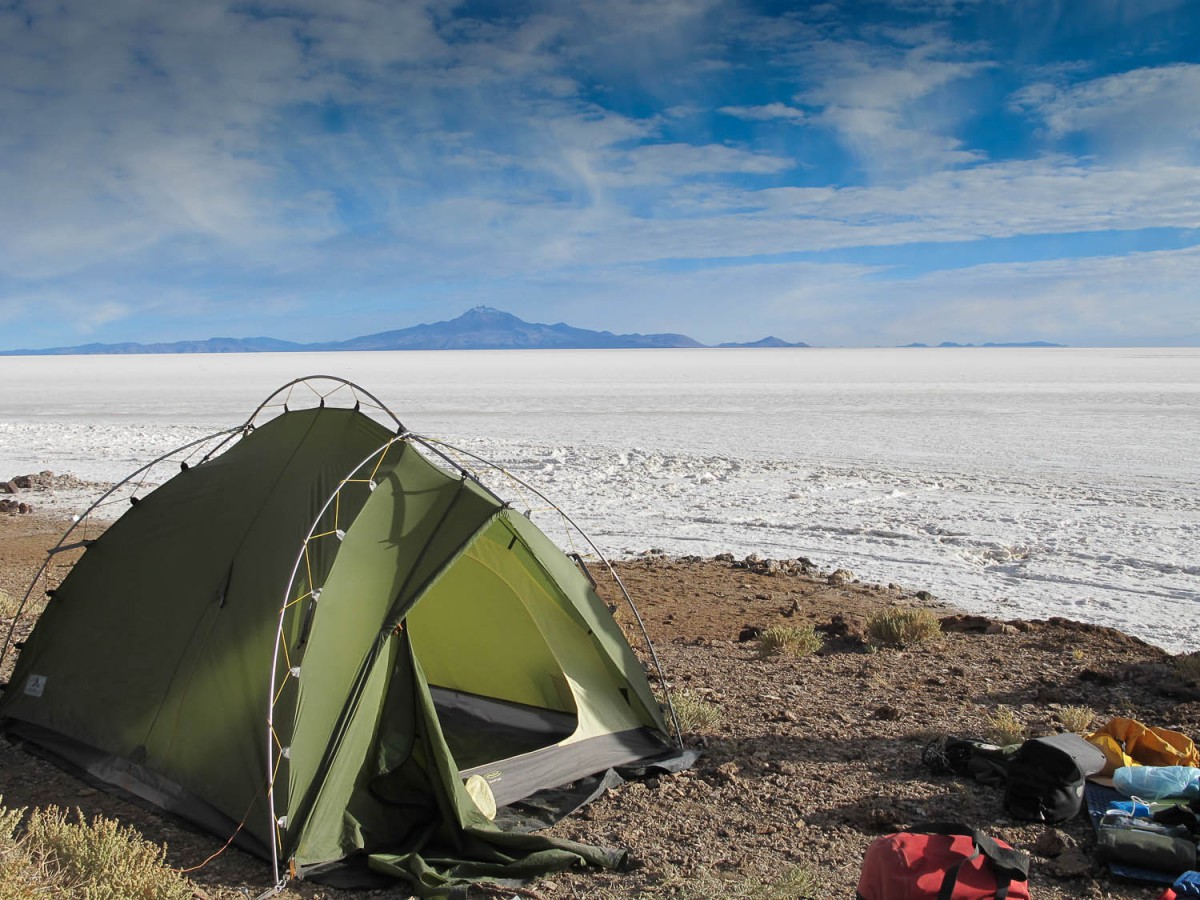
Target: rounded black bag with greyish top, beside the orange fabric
{"x": 1047, "y": 776}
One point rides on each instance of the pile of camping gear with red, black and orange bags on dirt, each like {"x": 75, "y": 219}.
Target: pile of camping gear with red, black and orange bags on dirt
{"x": 1141, "y": 787}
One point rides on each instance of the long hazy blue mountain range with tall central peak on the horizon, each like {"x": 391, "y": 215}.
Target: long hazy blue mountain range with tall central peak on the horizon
{"x": 479, "y": 329}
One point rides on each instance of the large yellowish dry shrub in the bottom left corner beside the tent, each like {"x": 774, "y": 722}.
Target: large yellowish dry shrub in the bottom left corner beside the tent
{"x": 97, "y": 860}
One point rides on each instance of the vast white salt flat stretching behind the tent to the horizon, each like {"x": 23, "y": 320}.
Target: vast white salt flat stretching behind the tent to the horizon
{"x": 1022, "y": 483}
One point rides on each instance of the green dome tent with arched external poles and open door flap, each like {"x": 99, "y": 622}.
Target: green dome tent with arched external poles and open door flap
{"x": 317, "y": 635}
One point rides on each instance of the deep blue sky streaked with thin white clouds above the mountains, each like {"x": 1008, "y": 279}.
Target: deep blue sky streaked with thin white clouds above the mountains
{"x": 838, "y": 173}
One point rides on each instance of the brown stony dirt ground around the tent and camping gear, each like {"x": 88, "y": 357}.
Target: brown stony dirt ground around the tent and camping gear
{"x": 808, "y": 760}
